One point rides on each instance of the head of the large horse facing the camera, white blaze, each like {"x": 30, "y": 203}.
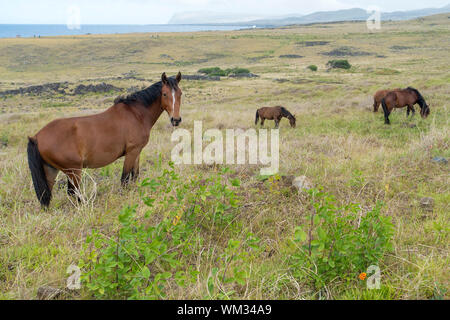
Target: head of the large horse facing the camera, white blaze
{"x": 171, "y": 97}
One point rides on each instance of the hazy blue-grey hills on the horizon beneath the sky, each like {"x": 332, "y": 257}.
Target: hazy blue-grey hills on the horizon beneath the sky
{"x": 355, "y": 14}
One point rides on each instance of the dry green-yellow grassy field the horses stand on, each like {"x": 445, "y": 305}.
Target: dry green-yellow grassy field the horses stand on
{"x": 339, "y": 144}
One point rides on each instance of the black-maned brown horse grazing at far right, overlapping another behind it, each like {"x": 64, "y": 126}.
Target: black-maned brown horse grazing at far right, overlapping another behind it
{"x": 401, "y": 98}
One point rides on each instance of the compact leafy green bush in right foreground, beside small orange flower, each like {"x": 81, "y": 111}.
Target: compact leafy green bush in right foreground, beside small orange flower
{"x": 338, "y": 243}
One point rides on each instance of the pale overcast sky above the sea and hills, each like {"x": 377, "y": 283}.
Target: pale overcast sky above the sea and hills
{"x": 160, "y": 11}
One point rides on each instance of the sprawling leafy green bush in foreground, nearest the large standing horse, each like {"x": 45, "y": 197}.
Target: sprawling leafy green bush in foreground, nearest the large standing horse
{"x": 142, "y": 258}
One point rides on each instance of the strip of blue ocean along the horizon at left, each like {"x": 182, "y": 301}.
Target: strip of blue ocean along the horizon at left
{"x": 43, "y": 30}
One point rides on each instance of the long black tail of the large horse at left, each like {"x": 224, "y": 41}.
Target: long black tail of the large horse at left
{"x": 36, "y": 165}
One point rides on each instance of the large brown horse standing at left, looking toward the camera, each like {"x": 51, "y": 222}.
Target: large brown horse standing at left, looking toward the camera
{"x": 123, "y": 130}
